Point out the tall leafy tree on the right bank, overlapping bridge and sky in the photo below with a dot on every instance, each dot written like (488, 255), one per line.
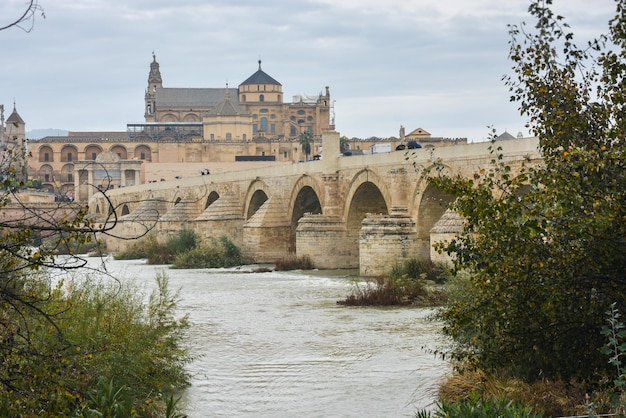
(543, 252)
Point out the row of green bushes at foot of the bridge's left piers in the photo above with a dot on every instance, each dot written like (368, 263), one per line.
(183, 251)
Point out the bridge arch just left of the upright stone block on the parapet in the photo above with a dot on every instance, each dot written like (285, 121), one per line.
(305, 198)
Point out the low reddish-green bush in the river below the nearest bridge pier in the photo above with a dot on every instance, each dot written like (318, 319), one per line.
(410, 283)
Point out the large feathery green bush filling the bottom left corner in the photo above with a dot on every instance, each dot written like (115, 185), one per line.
(100, 349)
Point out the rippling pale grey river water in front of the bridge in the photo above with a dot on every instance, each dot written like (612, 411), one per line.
(277, 345)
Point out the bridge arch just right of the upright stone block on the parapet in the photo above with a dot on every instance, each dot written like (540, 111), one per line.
(367, 194)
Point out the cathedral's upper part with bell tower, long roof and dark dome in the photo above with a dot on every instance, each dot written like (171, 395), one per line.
(255, 109)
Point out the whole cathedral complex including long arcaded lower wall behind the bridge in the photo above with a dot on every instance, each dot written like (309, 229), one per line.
(219, 126)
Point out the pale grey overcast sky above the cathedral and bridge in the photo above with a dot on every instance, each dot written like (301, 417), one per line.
(434, 64)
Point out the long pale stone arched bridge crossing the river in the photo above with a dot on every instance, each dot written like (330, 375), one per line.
(362, 211)
